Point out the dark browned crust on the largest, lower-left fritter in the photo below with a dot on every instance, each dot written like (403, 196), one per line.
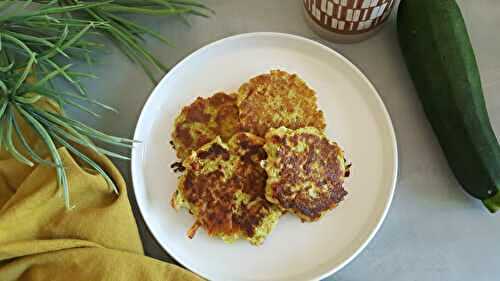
(214, 197)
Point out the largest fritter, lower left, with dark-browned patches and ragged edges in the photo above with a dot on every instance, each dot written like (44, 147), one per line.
(224, 188)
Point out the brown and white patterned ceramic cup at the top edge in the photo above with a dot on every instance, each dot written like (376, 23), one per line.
(347, 20)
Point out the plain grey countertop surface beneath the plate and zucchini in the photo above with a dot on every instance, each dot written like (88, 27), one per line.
(433, 231)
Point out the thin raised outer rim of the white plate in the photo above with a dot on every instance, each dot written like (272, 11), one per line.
(134, 165)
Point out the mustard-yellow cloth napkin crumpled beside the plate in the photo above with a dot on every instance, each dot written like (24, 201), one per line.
(96, 240)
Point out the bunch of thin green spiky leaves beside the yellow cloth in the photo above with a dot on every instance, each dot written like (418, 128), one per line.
(38, 45)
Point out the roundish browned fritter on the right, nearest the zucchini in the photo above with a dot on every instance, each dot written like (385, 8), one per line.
(305, 171)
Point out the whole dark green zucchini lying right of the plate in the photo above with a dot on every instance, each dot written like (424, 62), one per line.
(441, 62)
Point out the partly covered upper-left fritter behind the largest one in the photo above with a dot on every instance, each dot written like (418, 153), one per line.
(203, 120)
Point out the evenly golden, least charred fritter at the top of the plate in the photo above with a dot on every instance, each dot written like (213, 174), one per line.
(277, 99)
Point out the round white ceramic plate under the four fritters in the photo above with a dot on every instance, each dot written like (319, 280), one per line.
(356, 119)
